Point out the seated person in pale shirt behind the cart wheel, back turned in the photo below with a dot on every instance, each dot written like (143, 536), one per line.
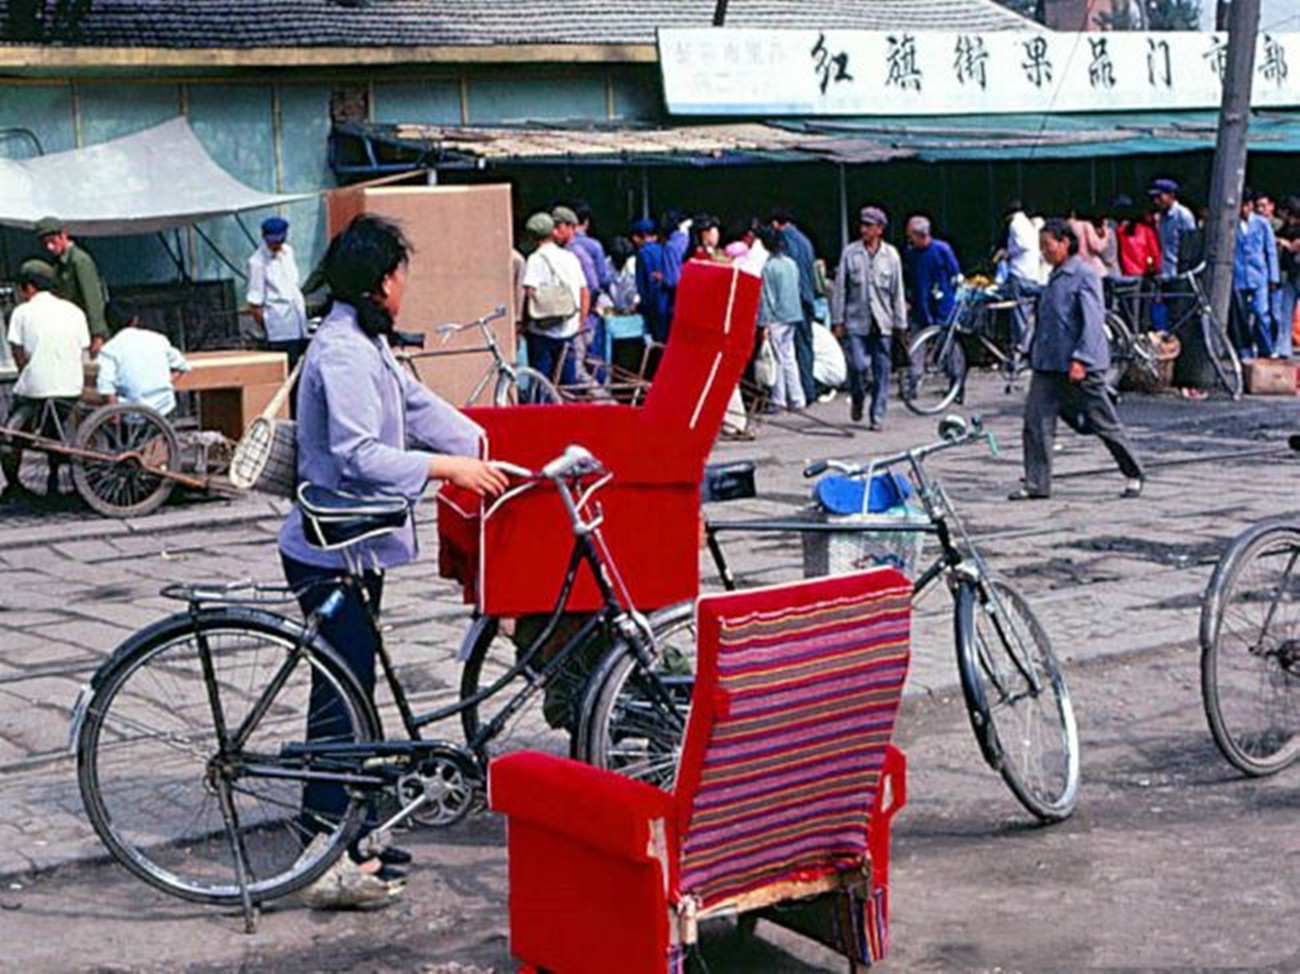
(137, 366)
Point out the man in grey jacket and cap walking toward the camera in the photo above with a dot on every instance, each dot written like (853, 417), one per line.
(868, 309)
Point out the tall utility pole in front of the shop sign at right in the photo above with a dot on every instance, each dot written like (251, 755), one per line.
(1230, 155)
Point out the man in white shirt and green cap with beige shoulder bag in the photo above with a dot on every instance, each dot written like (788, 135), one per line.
(549, 267)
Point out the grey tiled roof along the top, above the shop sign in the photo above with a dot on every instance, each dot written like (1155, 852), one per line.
(255, 24)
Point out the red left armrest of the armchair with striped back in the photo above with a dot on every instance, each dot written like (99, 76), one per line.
(600, 809)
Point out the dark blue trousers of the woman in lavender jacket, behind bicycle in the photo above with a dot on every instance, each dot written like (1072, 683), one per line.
(352, 637)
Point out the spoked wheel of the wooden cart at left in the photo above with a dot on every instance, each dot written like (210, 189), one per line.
(135, 443)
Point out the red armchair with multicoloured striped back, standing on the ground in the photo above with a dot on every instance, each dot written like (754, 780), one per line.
(787, 785)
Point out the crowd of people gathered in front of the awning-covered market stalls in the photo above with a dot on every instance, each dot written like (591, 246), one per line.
(876, 297)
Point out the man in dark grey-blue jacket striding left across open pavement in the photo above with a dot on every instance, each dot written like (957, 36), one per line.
(1069, 357)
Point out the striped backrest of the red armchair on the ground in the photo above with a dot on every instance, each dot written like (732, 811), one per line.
(796, 696)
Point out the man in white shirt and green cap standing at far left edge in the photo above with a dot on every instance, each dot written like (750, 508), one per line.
(49, 339)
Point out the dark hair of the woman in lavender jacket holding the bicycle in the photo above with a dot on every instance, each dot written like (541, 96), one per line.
(357, 263)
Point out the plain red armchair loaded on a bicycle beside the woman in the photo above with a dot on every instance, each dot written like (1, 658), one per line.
(513, 564)
